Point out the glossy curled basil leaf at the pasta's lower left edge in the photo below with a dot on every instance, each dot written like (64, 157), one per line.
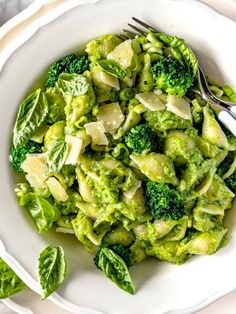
(42, 212)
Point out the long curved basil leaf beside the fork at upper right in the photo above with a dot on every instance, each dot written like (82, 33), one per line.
(179, 45)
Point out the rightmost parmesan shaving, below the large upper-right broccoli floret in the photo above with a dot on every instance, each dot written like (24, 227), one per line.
(179, 106)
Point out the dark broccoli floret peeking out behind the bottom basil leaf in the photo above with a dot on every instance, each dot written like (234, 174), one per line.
(121, 250)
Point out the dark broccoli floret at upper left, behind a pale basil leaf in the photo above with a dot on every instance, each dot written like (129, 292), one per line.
(68, 64)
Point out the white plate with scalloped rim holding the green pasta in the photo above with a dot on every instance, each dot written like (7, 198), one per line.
(161, 287)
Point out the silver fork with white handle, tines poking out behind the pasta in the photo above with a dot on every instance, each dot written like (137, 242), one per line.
(226, 109)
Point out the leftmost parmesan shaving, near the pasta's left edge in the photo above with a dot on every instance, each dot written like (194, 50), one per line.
(35, 167)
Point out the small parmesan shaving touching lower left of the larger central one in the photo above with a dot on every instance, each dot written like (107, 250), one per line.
(97, 132)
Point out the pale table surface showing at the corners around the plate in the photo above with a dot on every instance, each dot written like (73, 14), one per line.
(27, 298)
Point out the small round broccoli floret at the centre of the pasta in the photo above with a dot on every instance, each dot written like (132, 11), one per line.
(141, 139)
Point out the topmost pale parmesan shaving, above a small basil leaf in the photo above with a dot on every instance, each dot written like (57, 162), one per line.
(123, 54)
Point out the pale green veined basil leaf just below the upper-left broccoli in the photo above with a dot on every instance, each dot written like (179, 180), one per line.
(72, 84)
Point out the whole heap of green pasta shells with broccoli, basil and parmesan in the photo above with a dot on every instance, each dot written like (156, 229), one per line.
(131, 161)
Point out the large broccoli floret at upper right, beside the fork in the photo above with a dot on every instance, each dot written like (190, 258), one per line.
(171, 76)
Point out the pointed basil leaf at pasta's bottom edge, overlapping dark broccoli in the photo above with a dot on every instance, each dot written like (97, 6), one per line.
(115, 269)
